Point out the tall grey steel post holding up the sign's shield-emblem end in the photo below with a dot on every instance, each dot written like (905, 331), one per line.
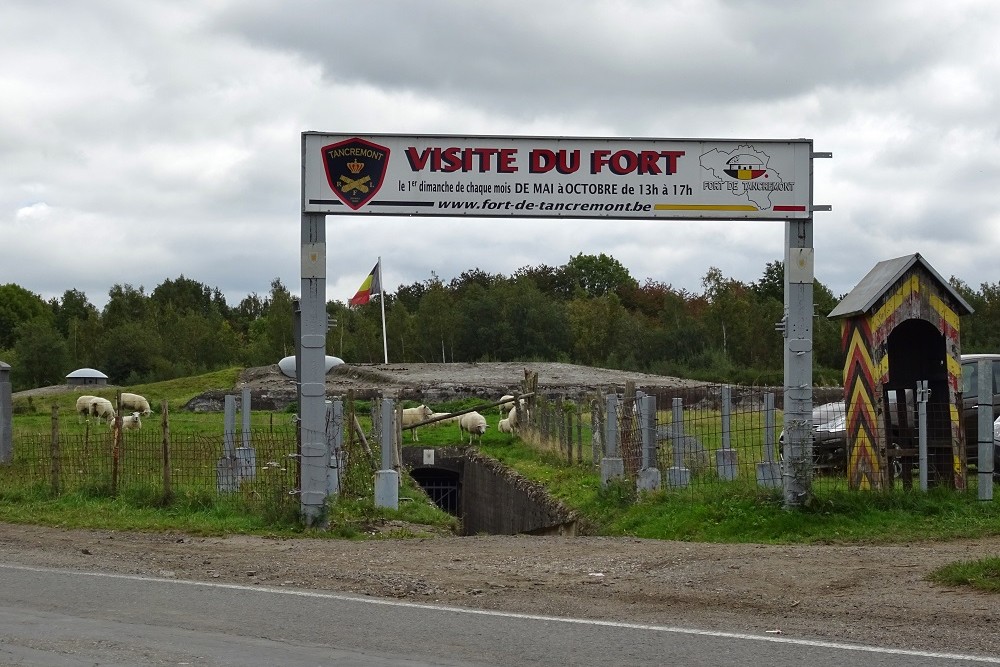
(312, 373)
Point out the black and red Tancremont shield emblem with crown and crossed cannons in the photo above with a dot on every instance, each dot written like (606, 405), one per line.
(355, 169)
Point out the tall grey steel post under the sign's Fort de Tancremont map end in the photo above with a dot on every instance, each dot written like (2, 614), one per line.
(798, 332)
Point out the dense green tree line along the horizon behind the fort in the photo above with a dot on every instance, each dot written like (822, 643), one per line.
(589, 311)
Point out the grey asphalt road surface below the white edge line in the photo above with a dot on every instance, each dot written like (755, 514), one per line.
(67, 618)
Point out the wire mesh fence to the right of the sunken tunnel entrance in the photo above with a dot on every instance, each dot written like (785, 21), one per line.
(714, 434)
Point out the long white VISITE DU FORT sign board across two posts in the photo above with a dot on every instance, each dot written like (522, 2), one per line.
(569, 177)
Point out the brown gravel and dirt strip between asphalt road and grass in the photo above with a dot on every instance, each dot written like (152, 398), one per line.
(863, 594)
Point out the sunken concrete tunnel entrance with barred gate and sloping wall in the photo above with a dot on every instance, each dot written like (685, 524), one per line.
(488, 497)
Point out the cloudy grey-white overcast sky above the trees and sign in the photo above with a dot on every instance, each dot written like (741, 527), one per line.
(142, 141)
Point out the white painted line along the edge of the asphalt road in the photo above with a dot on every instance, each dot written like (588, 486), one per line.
(504, 614)
